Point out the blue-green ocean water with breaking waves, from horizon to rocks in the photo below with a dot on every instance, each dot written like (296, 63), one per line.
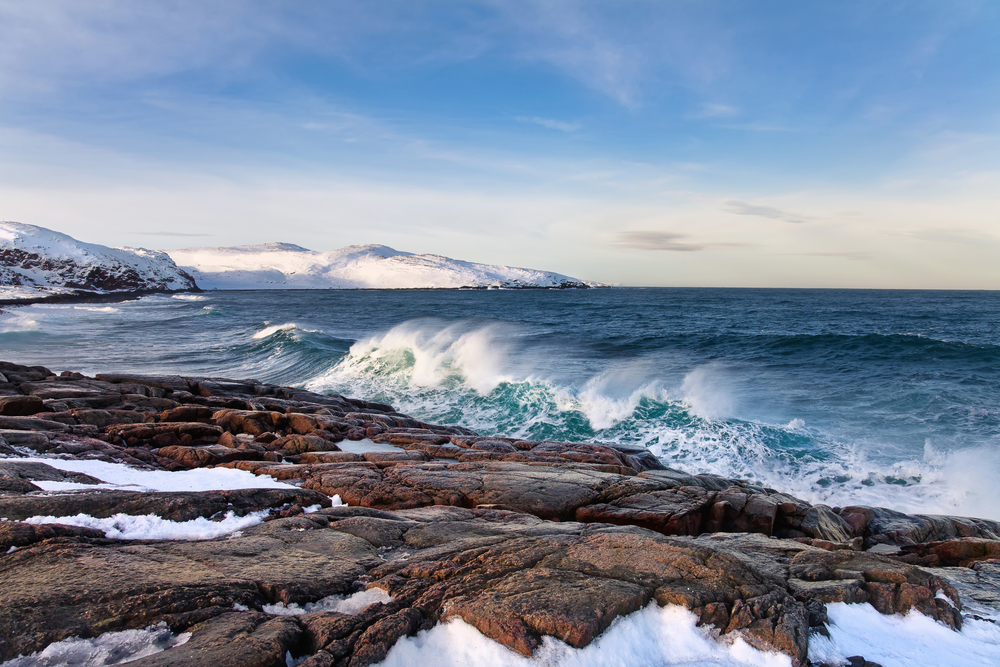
(889, 398)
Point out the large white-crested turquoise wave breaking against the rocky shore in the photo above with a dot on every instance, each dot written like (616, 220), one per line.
(482, 377)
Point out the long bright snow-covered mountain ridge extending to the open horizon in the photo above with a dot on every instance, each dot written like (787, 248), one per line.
(287, 266)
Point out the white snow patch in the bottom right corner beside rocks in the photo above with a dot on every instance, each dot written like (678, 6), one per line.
(904, 641)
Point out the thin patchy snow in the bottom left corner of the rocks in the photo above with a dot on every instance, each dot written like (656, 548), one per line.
(111, 648)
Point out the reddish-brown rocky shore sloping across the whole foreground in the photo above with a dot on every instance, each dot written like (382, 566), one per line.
(520, 539)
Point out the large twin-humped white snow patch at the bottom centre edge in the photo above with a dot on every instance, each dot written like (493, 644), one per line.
(652, 636)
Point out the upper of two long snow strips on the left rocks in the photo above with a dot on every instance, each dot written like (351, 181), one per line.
(121, 476)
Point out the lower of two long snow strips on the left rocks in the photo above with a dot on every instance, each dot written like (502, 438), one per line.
(152, 527)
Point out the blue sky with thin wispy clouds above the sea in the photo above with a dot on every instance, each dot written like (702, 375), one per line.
(665, 143)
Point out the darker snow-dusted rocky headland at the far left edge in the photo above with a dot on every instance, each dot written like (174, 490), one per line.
(36, 262)
